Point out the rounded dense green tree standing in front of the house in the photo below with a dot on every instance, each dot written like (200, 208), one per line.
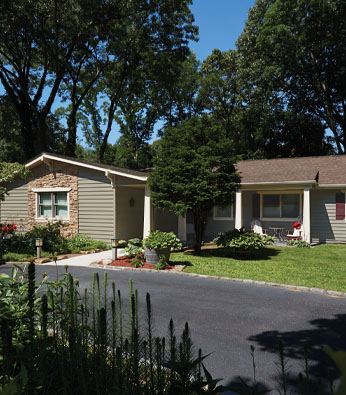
(194, 170)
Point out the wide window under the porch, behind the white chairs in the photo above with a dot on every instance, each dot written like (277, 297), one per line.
(281, 206)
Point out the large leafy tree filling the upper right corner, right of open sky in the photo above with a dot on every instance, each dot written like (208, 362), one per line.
(293, 55)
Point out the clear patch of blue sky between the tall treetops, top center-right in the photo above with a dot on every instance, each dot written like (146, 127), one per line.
(220, 24)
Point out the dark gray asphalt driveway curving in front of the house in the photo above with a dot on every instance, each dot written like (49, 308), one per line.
(226, 318)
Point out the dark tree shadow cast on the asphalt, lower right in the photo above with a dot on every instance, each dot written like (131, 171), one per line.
(327, 331)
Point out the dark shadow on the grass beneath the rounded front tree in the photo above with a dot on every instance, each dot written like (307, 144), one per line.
(261, 254)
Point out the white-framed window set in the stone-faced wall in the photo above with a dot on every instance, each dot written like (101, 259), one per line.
(52, 204)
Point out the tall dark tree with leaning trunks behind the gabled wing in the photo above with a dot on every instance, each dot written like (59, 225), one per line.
(61, 49)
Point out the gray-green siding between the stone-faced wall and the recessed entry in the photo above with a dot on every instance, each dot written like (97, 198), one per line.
(96, 205)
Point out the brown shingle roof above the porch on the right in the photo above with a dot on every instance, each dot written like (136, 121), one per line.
(324, 169)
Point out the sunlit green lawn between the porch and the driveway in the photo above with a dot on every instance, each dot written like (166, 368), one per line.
(323, 266)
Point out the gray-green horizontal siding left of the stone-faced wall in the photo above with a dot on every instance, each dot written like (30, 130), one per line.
(15, 206)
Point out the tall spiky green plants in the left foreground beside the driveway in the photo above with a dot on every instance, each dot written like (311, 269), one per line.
(56, 339)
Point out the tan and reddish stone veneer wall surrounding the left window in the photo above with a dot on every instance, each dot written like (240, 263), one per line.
(63, 175)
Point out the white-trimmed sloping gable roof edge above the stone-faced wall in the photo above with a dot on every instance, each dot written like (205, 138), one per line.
(44, 156)
